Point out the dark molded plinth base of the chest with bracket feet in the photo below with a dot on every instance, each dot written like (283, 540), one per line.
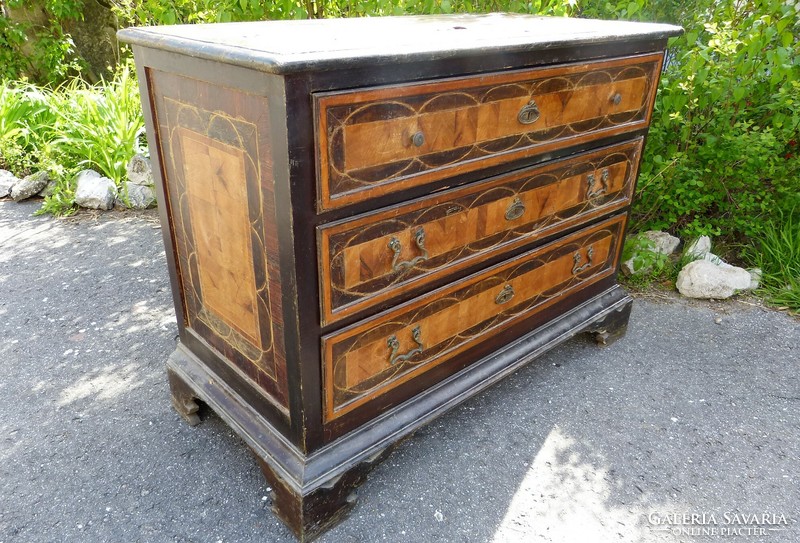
(312, 492)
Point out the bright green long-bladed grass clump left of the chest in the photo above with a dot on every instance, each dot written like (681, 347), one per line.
(73, 127)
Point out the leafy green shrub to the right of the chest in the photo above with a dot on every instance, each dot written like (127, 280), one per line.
(722, 154)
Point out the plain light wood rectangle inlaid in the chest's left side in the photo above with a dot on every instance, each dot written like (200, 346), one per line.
(217, 194)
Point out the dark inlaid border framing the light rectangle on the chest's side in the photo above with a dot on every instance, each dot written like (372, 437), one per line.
(224, 118)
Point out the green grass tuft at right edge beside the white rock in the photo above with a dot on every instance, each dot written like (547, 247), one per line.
(776, 251)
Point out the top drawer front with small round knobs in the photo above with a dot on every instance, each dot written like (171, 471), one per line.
(377, 141)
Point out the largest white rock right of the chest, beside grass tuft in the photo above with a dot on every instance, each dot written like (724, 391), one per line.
(703, 279)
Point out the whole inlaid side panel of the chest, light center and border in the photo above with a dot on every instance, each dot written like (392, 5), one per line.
(218, 179)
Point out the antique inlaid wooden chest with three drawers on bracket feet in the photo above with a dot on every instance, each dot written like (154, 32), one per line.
(368, 221)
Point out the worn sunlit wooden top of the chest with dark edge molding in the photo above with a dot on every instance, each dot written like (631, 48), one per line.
(291, 46)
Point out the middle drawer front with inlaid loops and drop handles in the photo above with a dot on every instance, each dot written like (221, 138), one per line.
(369, 259)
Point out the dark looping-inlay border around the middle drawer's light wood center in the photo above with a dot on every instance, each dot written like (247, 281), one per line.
(334, 238)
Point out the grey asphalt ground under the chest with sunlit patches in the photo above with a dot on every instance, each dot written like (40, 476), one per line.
(696, 411)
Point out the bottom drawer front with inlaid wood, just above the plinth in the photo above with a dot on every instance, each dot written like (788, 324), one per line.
(372, 357)
